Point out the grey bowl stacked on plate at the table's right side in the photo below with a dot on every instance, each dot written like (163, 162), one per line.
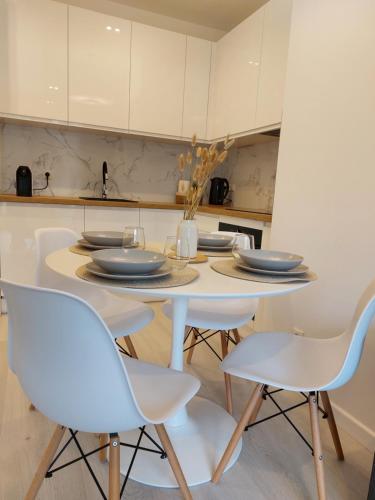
(270, 259)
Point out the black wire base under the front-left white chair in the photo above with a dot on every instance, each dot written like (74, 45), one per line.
(83, 456)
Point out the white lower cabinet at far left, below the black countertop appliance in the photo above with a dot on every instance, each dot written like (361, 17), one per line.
(18, 222)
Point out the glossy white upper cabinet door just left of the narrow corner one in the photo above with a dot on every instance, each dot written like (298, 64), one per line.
(157, 80)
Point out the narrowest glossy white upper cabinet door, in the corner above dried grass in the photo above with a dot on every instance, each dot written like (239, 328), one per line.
(197, 79)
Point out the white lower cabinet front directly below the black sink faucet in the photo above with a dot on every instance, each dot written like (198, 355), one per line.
(110, 218)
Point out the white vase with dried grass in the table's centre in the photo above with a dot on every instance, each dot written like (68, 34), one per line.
(200, 162)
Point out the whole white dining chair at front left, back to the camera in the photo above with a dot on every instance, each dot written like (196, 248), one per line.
(58, 342)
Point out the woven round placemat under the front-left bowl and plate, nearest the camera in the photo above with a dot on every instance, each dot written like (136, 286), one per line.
(179, 278)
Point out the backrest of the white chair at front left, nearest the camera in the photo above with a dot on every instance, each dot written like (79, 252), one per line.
(67, 362)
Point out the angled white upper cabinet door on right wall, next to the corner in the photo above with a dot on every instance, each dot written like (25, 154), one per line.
(236, 70)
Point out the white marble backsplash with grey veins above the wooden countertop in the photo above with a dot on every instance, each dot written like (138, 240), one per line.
(140, 169)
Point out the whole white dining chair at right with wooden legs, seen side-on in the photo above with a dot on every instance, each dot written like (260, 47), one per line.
(300, 364)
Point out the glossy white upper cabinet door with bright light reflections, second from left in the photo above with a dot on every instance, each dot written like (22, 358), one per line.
(99, 69)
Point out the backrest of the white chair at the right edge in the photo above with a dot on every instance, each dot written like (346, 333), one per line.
(352, 340)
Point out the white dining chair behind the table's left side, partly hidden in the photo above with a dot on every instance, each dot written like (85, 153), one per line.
(122, 316)
